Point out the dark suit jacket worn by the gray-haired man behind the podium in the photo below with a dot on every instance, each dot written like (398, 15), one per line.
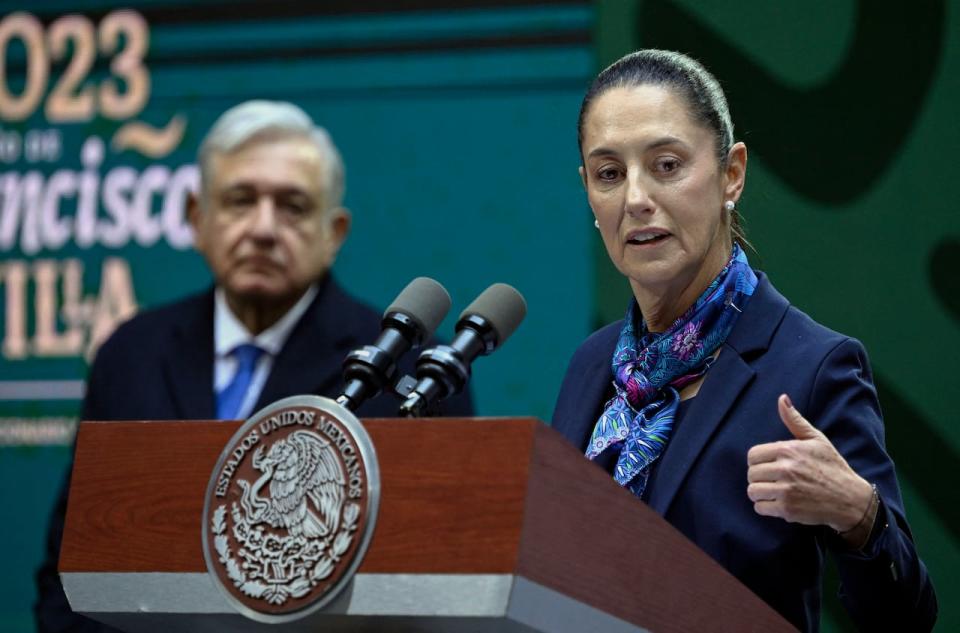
(159, 366)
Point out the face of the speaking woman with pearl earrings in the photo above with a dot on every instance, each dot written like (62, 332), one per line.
(658, 190)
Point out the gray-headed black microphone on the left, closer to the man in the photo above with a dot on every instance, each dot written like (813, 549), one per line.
(409, 321)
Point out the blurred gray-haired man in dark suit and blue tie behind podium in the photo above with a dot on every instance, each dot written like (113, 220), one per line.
(269, 222)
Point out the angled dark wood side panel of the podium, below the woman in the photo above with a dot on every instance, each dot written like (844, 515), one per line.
(586, 537)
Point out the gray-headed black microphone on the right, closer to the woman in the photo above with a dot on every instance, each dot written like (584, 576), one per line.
(483, 326)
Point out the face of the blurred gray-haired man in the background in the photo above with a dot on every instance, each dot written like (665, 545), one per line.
(263, 227)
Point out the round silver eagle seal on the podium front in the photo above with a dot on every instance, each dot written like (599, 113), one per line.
(290, 508)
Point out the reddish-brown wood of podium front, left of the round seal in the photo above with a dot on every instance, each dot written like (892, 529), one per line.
(136, 495)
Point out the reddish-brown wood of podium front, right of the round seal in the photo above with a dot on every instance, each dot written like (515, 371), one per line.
(453, 493)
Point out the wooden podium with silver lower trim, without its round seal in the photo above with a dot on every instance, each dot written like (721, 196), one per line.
(486, 524)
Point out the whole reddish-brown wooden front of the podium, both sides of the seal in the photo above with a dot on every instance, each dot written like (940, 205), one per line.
(451, 499)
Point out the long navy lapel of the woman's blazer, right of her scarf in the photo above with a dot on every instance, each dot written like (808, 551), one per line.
(724, 383)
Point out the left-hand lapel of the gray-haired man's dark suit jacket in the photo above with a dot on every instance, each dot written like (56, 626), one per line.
(188, 365)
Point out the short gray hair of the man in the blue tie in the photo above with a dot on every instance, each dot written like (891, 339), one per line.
(264, 120)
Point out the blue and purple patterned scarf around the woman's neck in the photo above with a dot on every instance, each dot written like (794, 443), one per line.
(649, 371)
